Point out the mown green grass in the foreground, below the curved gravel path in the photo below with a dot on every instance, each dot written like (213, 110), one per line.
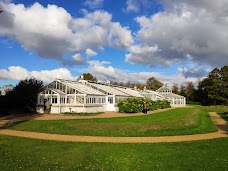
(22, 154)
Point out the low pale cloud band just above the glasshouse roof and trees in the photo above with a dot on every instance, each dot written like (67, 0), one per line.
(103, 71)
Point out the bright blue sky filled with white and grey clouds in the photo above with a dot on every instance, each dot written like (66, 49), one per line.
(133, 40)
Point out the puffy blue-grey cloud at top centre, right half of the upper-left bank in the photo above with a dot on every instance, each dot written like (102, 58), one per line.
(96, 30)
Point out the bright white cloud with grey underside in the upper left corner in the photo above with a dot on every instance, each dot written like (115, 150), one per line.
(43, 30)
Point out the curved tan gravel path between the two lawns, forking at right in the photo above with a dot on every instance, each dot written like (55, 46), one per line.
(219, 122)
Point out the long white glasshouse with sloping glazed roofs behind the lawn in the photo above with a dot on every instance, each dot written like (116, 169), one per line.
(85, 96)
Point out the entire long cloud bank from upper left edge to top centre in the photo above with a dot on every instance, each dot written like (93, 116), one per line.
(52, 32)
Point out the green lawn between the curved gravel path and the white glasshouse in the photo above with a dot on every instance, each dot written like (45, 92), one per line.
(179, 121)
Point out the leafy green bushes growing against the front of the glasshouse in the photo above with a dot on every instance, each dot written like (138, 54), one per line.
(135, 105)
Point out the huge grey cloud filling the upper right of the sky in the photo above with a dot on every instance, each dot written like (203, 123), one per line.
(197, 28)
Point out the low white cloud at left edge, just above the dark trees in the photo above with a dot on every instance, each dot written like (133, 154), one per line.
(19, 73)
